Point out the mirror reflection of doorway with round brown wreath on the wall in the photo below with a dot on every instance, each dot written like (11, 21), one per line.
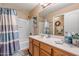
(59, 25)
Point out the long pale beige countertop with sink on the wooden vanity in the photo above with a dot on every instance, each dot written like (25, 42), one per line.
(52, 41)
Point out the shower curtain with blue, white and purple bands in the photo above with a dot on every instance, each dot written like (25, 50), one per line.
(9, 42)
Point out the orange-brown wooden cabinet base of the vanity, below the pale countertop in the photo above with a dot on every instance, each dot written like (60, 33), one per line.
(37, 48)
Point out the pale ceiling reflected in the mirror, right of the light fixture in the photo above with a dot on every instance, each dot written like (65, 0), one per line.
(53, 7)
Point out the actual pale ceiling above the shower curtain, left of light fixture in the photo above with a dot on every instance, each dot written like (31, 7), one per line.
(21, 6)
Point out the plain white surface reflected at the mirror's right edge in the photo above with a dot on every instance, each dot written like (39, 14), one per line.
(71, 21)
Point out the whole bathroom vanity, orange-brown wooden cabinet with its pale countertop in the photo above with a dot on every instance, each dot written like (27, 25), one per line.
(39, 46)
